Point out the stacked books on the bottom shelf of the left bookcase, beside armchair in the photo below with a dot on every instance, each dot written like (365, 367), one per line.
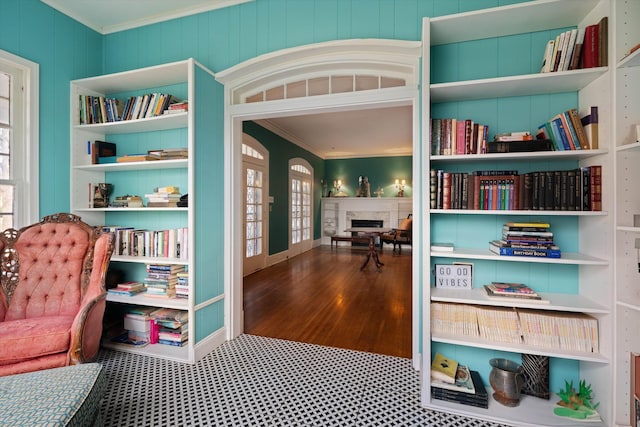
(149, 325)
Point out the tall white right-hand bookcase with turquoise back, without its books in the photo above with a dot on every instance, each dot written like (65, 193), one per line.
(499, 97)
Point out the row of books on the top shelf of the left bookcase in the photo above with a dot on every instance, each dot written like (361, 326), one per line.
(101, 109)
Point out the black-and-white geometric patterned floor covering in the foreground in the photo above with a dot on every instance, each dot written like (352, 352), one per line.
(259, 381)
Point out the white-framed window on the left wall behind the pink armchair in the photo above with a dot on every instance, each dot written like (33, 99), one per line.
(18, 141)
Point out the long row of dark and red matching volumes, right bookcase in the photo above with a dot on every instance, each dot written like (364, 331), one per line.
(571, 190)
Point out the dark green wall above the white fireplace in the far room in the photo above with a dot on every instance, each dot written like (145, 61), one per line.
(381, 172)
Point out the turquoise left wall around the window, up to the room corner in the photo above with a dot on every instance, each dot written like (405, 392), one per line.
(65, 50)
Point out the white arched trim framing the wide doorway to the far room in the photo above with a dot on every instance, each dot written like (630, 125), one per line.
(236, 113)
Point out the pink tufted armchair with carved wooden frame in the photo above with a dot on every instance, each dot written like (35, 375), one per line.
(52, 296)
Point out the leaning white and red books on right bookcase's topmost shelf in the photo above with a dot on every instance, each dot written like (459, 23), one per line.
(577, 48)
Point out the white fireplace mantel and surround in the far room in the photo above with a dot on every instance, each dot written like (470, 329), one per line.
(337, 212)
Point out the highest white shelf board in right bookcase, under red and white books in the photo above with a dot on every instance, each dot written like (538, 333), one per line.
(509, 86)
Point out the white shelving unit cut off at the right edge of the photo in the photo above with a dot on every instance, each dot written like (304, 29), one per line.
(626, 114)
